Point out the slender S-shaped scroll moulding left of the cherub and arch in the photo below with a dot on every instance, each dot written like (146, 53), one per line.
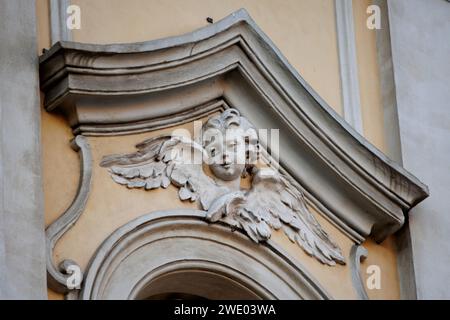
(57, 276)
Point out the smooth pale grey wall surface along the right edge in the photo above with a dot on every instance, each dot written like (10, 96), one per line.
(420, 50)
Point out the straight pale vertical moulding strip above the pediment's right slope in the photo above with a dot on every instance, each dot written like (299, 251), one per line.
(348, 64)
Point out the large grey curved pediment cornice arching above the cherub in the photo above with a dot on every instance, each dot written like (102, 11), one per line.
(129, 88)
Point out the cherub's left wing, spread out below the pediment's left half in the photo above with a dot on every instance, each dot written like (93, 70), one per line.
(162, 161)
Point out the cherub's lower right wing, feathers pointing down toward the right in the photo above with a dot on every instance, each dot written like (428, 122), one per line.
(274, 203)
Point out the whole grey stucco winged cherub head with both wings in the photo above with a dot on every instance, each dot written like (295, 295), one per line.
(229, 149)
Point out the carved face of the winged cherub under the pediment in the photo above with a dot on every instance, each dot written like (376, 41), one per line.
(227, 153)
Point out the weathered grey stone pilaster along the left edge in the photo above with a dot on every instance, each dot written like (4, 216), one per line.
(22, 241)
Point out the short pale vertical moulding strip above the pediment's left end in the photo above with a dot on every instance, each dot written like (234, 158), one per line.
(58, 15)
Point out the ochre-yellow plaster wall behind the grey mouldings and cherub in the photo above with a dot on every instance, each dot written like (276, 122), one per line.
(311, 49)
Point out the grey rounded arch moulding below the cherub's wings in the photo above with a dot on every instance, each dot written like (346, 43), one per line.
(164, 242)
